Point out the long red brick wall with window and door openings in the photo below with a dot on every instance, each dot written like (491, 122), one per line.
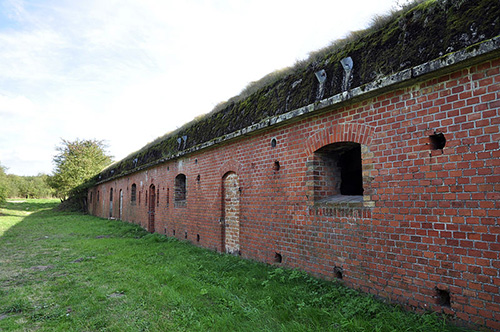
(428, 223)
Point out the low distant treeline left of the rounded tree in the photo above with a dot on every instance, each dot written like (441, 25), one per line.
(15, 186)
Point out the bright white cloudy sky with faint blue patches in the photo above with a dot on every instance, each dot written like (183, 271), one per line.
(129, 71)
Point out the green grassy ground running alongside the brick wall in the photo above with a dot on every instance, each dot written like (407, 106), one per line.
(70, 272)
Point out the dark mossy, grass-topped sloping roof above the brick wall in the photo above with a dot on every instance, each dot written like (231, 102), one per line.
(420, 32)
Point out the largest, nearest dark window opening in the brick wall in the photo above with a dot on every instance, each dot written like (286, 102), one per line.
(338, 171)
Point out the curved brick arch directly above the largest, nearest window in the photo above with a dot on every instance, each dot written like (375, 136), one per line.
(352, 132)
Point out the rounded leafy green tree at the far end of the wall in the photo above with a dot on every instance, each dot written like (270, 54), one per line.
(77, 162)
